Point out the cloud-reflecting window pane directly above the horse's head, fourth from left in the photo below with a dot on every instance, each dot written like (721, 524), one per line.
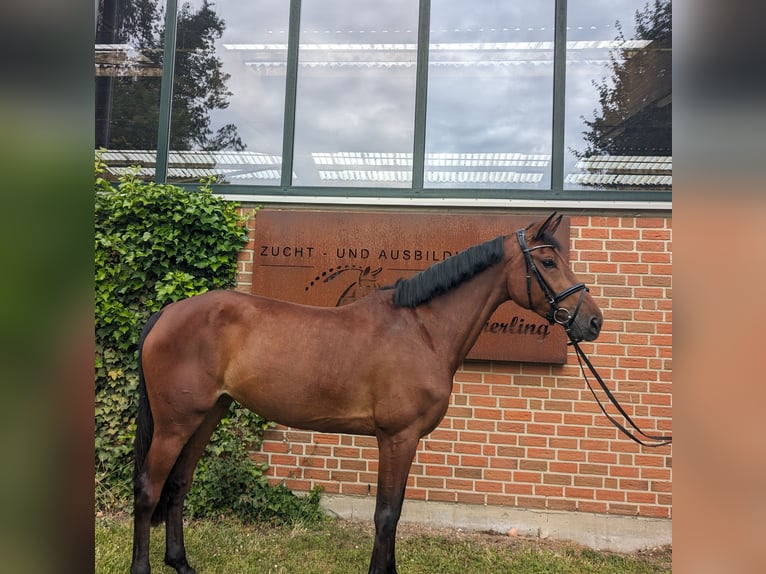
(490, 94)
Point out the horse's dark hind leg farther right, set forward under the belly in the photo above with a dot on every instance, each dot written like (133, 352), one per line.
(179, 482)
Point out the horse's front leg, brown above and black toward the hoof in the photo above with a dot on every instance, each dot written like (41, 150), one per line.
(395, 457)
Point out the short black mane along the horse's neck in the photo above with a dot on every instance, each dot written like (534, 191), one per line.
(451, 272)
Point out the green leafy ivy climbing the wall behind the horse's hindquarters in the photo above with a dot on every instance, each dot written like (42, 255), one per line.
(155, 244)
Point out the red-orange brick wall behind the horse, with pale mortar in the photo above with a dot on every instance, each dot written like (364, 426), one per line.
(530, 435)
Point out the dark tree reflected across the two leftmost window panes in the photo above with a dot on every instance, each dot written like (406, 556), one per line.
(127, 107)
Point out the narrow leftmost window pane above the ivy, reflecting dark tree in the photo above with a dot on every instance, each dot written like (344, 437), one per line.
(128, 62)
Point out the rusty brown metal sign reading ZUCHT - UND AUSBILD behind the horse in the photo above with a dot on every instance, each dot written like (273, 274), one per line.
(331, 258)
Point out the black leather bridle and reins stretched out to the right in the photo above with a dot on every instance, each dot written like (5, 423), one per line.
(561, 315)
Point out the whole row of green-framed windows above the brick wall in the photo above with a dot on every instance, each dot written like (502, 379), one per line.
(567, 99)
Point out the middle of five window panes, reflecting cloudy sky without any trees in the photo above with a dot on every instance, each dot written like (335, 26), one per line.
(355, 110)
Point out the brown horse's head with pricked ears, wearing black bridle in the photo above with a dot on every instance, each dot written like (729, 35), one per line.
(539, 279)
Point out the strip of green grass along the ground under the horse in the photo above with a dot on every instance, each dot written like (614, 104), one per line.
(339, 547)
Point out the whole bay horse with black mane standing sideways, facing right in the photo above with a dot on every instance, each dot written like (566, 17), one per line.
(381, 366)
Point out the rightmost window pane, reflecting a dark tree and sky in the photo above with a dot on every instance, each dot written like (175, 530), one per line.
(619, 96)
